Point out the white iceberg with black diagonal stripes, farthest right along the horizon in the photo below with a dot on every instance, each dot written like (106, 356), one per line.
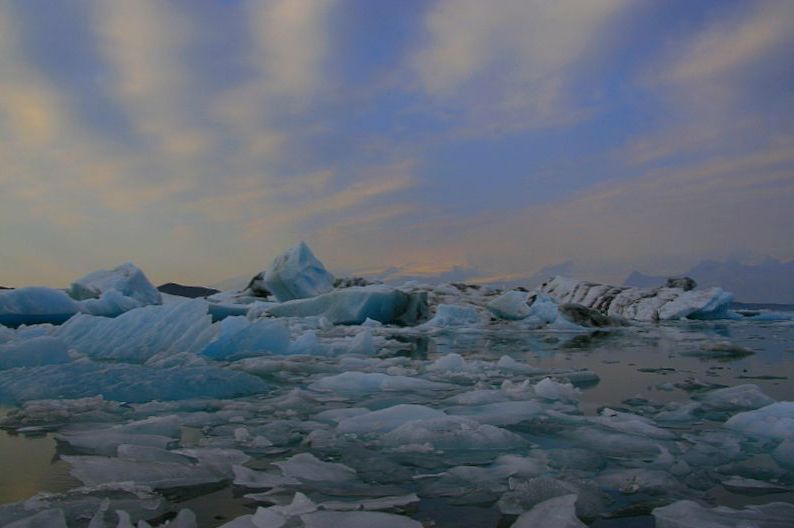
(641, 304)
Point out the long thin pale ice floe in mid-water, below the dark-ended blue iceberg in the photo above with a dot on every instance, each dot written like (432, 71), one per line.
(367, 382)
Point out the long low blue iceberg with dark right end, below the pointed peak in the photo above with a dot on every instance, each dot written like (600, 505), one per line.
(357, 304)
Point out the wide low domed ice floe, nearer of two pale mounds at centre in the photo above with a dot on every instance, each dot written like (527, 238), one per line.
(453, 433)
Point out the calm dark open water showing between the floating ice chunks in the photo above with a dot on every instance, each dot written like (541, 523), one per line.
(639, 368)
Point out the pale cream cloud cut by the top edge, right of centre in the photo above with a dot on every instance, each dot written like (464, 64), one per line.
(510, 67)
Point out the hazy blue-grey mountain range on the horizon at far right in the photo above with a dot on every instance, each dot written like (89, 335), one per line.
(770, 281)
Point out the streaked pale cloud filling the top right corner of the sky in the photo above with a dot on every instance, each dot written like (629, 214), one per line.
(723, 86)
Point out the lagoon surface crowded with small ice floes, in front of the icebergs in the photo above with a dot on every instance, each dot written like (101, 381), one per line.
(635, 430)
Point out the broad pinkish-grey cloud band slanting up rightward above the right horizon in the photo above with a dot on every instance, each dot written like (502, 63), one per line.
(661, 221)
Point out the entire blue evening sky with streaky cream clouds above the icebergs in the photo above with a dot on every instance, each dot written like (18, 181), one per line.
(489, 140)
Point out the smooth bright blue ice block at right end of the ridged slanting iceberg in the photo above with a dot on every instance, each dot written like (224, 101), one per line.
(240, 338)
